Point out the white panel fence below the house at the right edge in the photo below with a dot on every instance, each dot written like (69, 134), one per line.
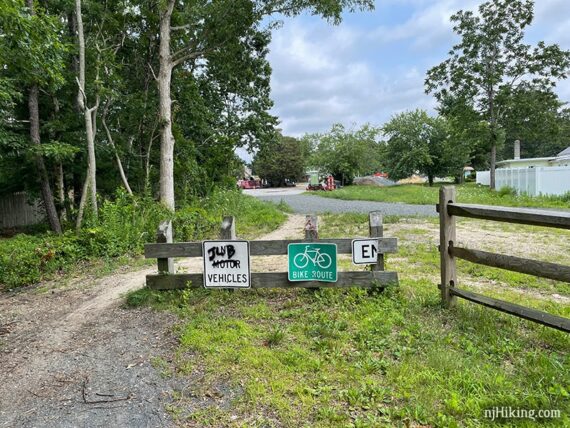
(545, 180)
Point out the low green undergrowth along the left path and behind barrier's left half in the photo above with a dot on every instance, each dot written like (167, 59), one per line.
(124, 225)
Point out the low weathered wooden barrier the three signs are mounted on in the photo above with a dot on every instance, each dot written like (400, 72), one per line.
(165, 250)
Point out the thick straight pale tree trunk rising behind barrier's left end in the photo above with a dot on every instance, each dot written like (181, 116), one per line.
(165, 111)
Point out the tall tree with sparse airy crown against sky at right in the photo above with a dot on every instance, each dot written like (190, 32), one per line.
(492, 59)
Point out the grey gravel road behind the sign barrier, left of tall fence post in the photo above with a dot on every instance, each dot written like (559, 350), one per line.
(309, 204)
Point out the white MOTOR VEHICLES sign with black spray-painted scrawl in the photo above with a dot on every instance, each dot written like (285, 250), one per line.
(226, 264)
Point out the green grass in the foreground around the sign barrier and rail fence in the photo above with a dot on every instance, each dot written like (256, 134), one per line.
(347, 358)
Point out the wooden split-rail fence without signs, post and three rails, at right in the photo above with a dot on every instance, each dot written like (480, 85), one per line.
(449, 209)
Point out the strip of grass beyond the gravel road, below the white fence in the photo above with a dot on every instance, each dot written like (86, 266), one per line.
(467, 193)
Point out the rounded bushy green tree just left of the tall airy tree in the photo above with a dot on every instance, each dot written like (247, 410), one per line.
(419, 143)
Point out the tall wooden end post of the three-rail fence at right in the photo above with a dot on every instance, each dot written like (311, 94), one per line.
(447, 236)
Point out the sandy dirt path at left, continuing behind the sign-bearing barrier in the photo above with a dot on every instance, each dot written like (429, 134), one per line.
(74, 356)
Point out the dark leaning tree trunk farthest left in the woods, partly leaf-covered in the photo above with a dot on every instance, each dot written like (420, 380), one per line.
(34, 110)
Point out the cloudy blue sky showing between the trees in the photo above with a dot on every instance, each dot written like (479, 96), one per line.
(373, 64)
